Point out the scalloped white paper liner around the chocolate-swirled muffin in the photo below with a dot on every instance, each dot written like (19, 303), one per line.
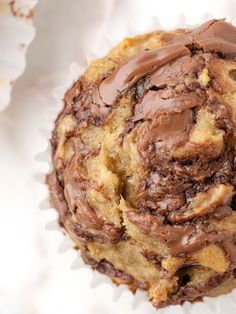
(138, 302)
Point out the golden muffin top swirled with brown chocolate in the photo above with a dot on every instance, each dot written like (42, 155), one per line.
(144, 163)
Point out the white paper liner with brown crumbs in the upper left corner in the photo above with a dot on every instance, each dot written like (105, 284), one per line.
(16, 33)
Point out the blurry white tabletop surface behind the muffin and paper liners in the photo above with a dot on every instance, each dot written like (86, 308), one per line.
(34, 277)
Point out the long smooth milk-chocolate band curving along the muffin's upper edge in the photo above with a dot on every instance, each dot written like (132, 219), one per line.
(214, 35)
